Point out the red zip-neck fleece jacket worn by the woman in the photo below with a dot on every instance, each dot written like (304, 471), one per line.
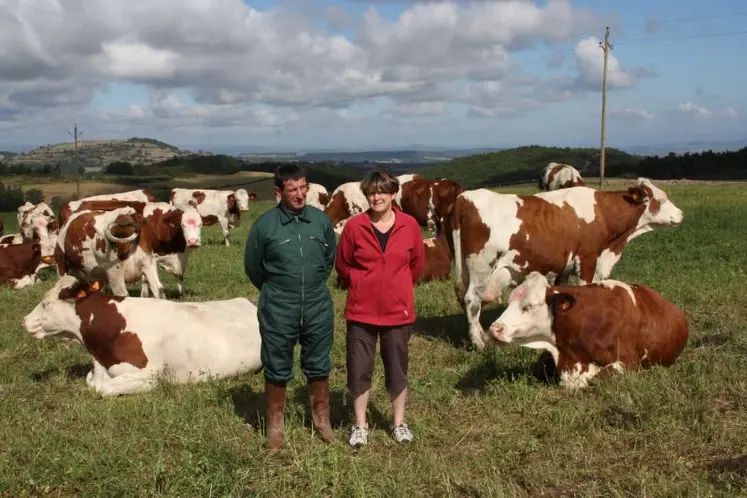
(380, 284)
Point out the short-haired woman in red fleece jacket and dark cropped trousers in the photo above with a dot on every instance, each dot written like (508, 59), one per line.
(379, 257)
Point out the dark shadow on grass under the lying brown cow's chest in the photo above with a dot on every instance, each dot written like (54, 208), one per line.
(475, 381)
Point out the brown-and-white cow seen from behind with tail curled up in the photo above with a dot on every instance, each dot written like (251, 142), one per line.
(108, 246)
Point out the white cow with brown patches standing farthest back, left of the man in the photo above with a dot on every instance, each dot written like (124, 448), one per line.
(215, 206)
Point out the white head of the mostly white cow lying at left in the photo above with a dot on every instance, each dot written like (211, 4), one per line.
(55, 314)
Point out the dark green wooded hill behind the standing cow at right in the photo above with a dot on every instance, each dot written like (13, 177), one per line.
(525, 164)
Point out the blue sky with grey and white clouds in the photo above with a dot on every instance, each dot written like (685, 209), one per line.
(334, 74)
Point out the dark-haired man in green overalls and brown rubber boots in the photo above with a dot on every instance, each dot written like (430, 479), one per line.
(289, 254)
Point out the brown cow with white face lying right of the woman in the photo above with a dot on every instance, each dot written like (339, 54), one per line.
(601, 327)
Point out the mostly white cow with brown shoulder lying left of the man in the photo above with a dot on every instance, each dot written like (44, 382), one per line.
(135, 340)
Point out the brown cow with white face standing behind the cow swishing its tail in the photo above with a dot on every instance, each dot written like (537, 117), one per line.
(171, 233)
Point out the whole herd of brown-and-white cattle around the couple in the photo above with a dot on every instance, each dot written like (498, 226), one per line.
(532, 243)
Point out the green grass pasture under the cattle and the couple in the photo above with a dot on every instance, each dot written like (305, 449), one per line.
(484, 425)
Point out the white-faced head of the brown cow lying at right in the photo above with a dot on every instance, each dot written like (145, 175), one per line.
(527, 320)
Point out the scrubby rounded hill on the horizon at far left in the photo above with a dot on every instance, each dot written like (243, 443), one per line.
(94, 154)
